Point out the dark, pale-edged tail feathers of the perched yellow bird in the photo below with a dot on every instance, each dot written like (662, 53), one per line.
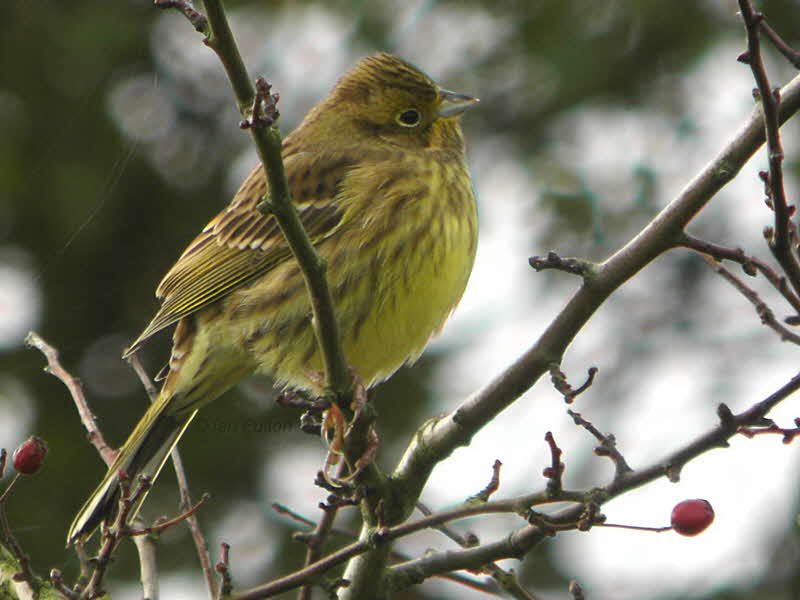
(144, 453)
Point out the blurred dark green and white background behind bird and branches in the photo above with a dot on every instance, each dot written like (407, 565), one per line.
(119, 141)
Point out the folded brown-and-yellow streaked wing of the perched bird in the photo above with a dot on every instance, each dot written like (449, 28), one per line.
(241, 244)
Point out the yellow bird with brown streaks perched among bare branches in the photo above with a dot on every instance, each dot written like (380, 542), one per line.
(378, 175)
